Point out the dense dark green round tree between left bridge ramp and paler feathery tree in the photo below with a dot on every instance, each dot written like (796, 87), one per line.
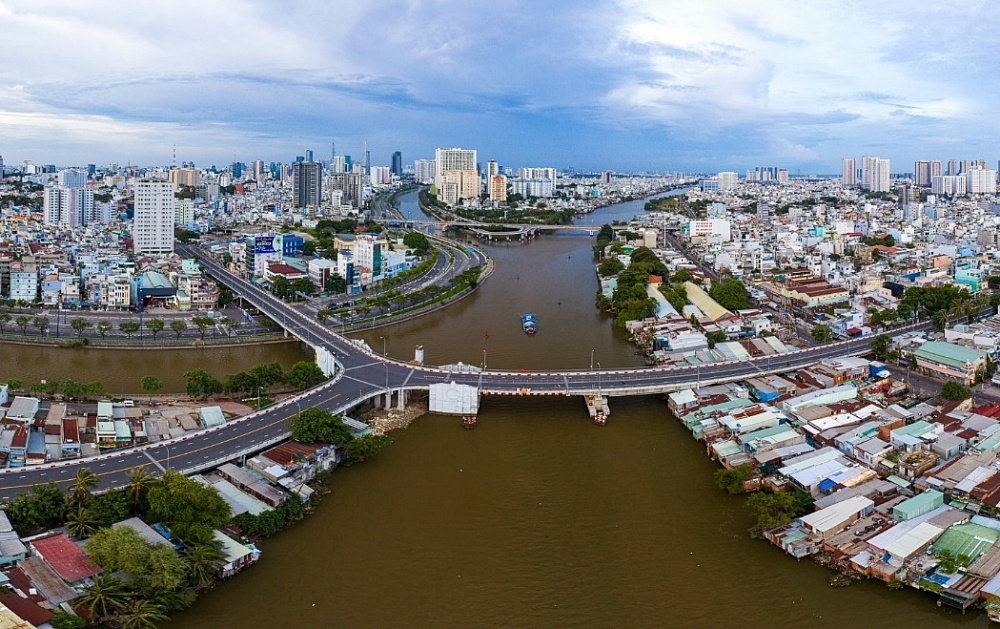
(190, 509)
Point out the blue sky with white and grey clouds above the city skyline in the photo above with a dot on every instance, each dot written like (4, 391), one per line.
(625, 85)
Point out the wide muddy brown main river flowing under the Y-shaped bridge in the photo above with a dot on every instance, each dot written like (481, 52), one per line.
(537, 517)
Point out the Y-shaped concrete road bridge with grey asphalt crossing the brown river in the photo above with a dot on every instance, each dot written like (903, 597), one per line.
(358, 374)
